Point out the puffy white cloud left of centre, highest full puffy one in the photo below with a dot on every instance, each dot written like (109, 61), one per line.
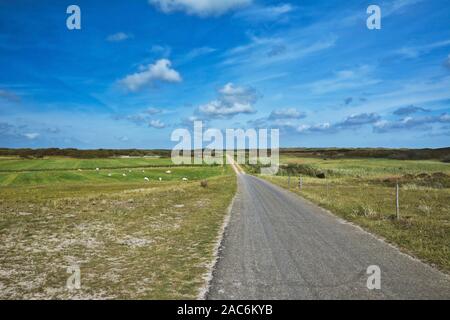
(160, 71)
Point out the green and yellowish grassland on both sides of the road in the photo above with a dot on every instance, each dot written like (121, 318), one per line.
(137, 238)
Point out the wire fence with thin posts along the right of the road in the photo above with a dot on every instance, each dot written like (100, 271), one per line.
(368, 198)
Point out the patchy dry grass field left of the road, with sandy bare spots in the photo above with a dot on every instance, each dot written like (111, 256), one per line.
(131, 239)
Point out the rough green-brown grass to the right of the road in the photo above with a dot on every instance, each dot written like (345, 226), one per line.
(367, 198)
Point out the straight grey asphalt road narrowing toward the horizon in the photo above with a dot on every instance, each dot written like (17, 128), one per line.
(279, 246)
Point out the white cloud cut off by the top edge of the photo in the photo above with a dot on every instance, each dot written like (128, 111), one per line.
(202, 8)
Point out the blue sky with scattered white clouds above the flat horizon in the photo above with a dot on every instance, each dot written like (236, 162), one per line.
(139, 69)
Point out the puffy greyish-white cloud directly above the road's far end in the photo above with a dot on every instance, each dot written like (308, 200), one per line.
(232, 100)
